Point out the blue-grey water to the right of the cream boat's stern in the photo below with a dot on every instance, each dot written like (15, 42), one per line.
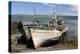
(73, 27)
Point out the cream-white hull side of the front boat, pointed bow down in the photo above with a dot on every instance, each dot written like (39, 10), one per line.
(40, 36)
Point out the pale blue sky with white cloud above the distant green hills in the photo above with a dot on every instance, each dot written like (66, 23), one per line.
(43, 8)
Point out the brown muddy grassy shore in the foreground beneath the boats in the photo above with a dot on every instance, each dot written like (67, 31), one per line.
(50, 45)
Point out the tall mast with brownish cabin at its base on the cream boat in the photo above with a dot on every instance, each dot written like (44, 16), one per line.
(53, 19)
